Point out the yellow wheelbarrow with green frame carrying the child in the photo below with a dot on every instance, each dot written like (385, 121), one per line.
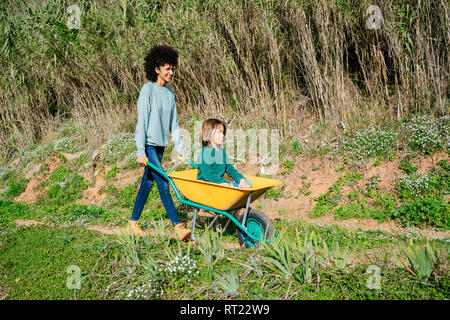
(253, 226)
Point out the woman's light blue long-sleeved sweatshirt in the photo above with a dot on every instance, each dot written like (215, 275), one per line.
(157, 116)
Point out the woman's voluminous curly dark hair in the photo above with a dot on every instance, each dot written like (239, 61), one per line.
(157, 57)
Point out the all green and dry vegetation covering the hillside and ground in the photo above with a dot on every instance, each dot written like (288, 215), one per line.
(333, 92)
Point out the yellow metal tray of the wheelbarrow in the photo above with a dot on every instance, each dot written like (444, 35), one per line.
(217, 196)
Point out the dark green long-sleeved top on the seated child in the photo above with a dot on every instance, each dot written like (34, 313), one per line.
(212, 165)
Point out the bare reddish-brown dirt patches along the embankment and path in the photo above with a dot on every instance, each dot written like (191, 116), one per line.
(313, 174)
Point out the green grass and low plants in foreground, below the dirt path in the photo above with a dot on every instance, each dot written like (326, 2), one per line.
(35, 260)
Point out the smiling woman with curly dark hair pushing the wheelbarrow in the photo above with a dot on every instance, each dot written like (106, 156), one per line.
(157, 117)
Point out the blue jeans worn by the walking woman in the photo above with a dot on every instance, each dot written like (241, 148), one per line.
(154, 155)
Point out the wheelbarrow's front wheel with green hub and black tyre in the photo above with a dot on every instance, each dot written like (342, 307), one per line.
(258, 225)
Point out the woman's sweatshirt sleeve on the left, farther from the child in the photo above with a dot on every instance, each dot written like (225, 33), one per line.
(144, 110)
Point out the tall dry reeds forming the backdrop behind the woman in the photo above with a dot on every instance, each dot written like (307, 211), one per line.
(281, 64)
